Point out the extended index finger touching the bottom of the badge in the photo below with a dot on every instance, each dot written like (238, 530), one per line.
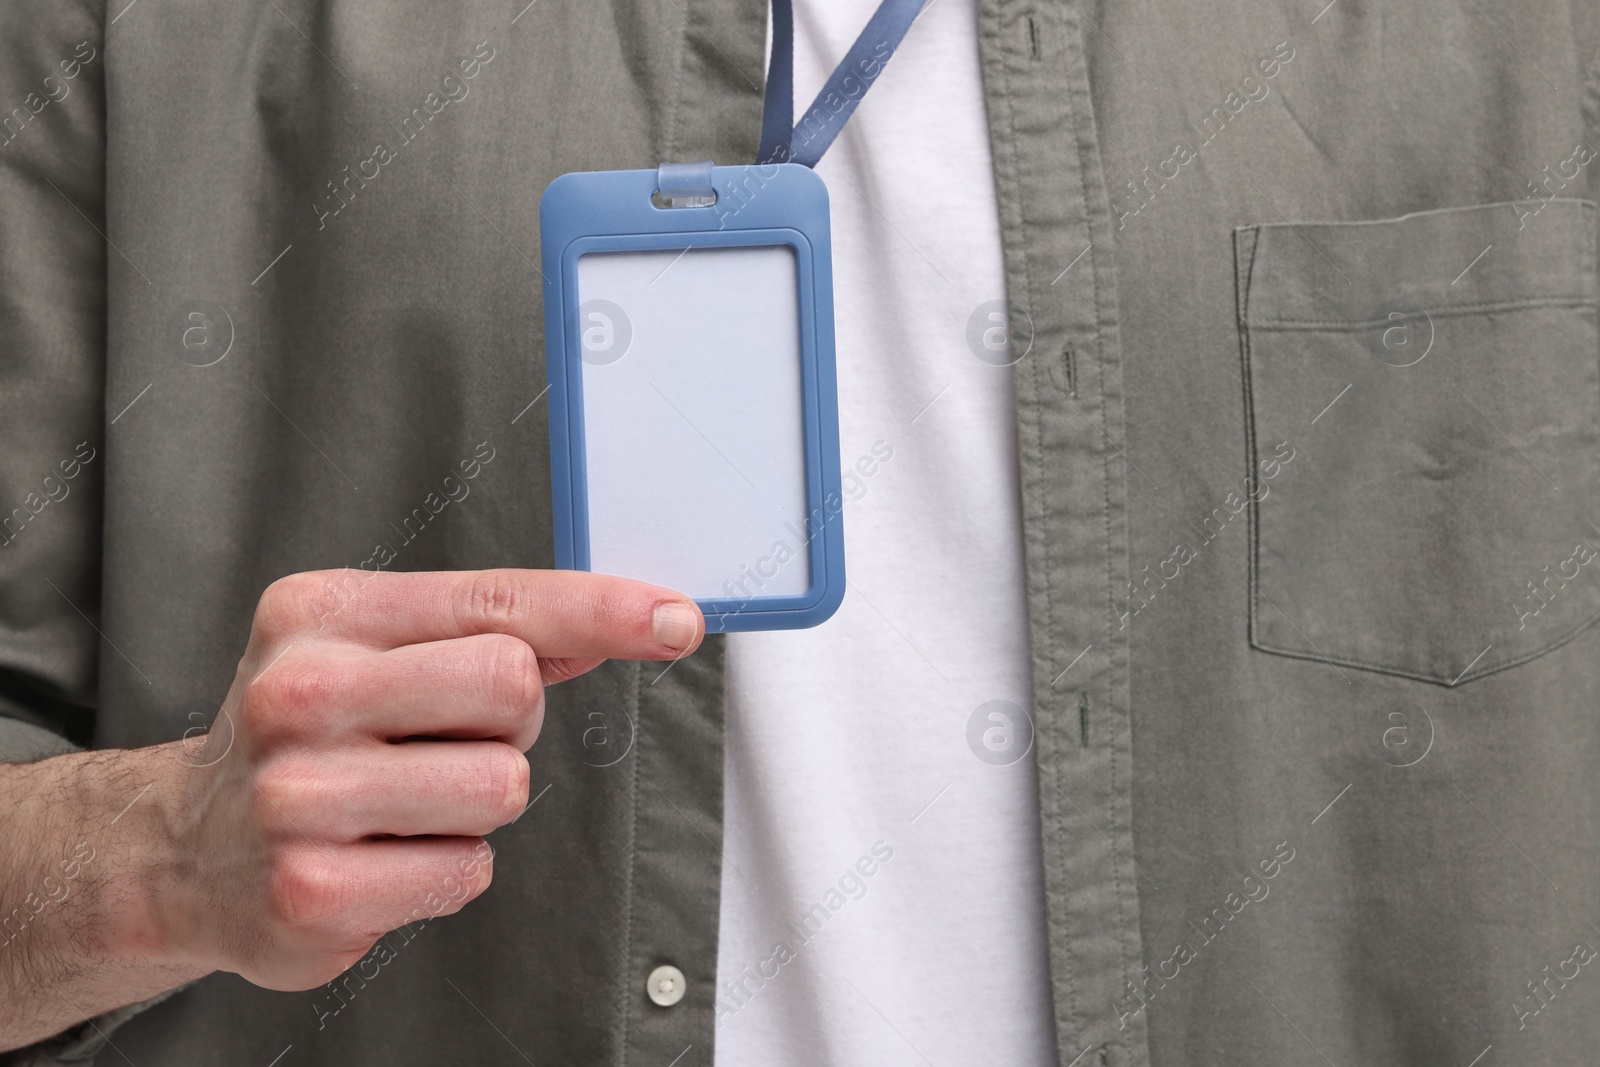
(558, 613)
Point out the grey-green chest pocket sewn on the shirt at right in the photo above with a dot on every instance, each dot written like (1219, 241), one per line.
(1434, 382)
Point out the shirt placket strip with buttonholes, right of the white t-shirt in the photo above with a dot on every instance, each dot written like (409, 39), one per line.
(1070, 406)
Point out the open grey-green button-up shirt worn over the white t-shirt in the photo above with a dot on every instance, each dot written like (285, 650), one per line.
(1308, 434)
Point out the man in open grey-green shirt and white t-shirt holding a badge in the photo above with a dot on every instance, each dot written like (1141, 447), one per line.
(1282, 455)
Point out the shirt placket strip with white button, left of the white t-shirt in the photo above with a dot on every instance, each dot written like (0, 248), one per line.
(666, 986)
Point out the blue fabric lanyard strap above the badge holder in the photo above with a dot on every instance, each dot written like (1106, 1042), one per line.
(841, 95)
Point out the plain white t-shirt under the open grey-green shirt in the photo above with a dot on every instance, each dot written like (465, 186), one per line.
(882, 892)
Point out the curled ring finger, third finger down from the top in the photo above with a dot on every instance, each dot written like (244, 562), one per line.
(414, 789)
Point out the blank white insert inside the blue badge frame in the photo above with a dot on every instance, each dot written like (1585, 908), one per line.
(694, 418)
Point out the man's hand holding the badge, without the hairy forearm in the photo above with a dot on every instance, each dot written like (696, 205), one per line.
(382, 722)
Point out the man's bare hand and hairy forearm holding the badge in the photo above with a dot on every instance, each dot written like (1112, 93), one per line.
(374, 735)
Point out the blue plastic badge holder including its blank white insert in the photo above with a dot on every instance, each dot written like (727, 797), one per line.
(689, 319)
